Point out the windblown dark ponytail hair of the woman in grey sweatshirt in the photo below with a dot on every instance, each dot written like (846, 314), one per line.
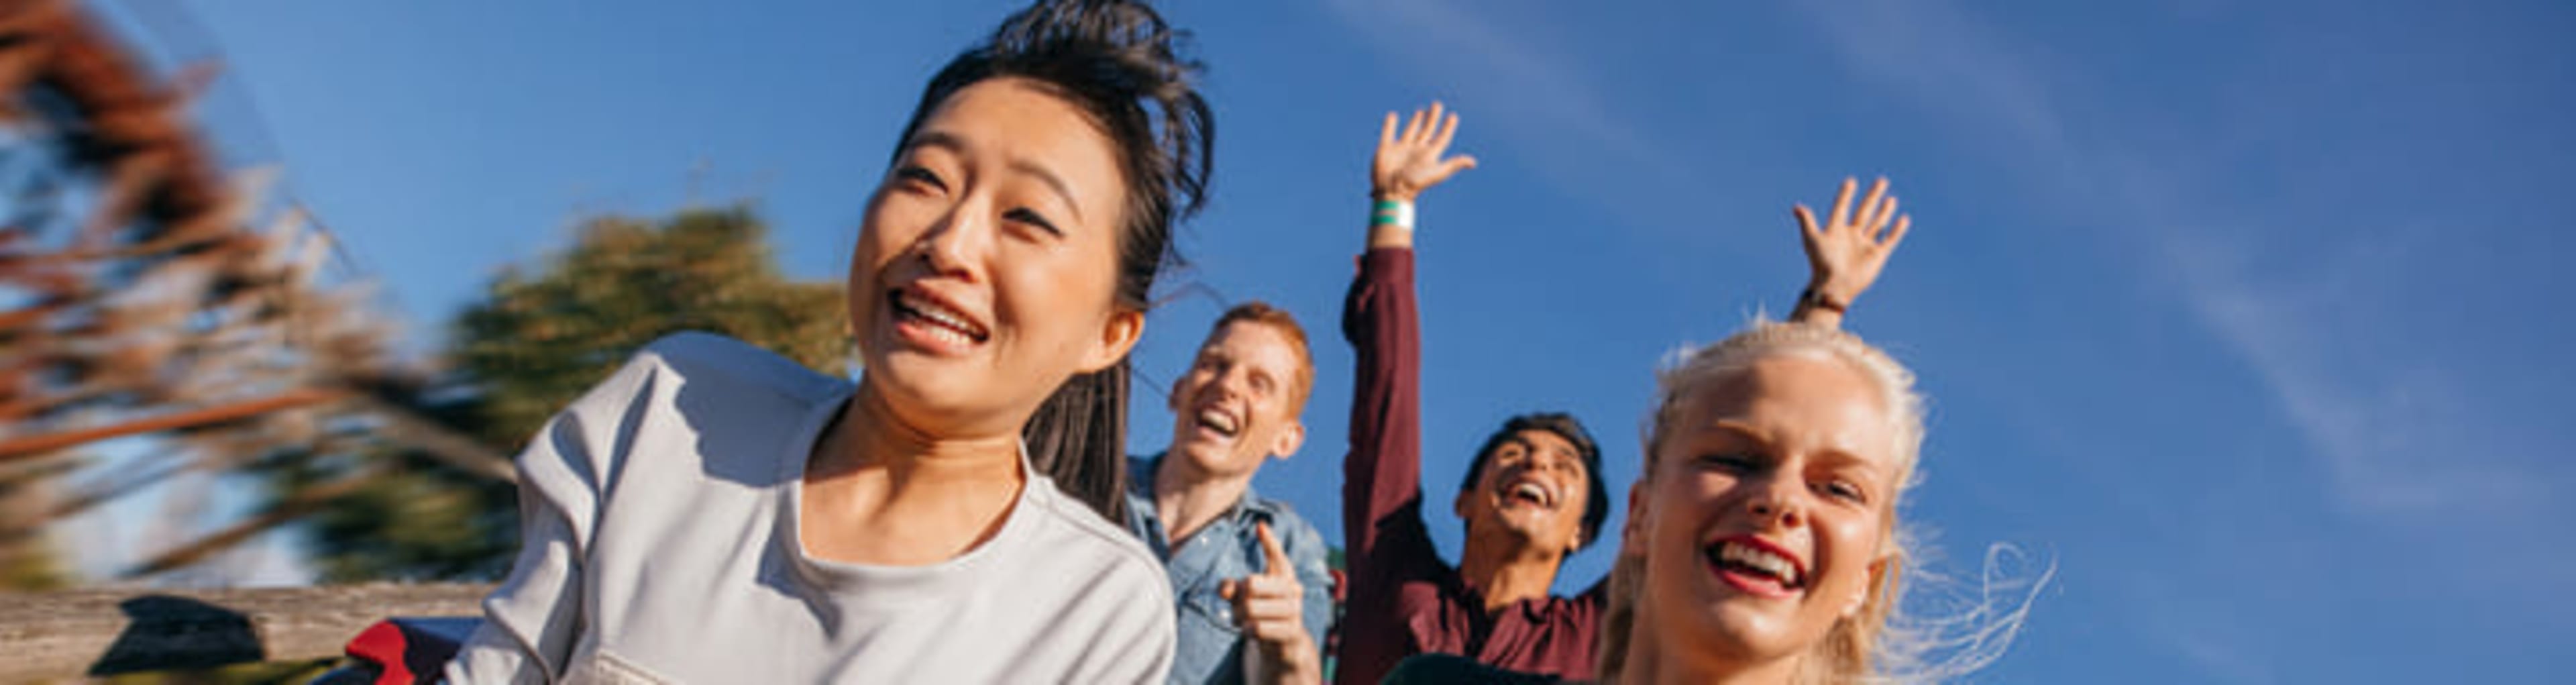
(1124, 66)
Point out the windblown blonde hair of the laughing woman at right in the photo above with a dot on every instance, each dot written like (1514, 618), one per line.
(1879, 643)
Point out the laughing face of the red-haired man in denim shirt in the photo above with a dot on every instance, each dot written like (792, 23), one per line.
(1238, 406)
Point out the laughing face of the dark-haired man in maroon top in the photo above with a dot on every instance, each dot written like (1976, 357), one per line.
(1531, 493)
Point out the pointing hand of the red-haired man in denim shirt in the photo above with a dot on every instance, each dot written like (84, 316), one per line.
(1271, 609)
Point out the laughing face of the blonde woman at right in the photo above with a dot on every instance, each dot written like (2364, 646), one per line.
(1766, 516)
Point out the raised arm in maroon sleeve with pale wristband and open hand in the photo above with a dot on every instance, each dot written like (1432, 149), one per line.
(1382, 475)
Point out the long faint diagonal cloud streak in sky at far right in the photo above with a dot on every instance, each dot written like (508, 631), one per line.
(2397, 439)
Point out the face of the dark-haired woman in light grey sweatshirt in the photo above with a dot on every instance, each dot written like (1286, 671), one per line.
(985, 269)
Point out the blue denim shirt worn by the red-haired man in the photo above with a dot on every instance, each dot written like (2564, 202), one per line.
(1212, 645)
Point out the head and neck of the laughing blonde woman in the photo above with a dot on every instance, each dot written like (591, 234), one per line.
(1763, 532)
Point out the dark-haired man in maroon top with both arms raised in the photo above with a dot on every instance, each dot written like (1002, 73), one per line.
(1531, 496)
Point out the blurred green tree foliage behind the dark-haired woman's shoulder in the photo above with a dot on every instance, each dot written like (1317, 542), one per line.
(537, 341)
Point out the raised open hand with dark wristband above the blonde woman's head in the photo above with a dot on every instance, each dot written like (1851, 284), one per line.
(1848, 251)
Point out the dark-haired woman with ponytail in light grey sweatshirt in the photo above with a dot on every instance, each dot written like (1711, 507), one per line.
(715, 514)
